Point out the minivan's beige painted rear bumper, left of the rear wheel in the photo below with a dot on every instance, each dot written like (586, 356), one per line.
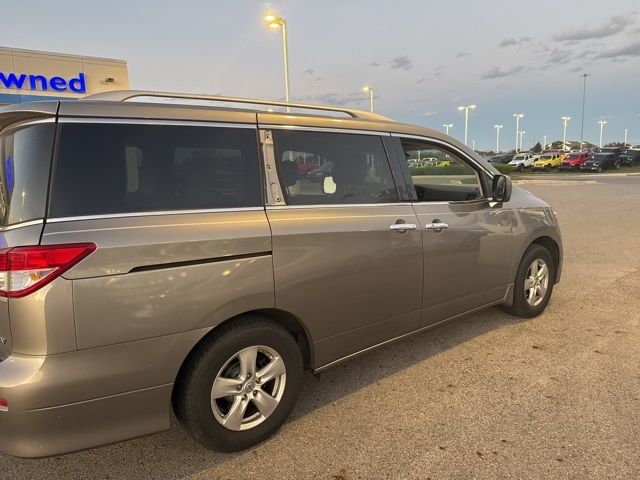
(71, 401)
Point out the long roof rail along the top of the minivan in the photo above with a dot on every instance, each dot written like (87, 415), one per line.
(124, 95)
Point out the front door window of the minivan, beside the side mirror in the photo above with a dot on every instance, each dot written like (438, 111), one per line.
(439, 175)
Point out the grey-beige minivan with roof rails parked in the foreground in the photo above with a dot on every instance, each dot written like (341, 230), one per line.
(161, 256)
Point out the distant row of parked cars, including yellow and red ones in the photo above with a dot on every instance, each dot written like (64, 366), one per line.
(595, 160)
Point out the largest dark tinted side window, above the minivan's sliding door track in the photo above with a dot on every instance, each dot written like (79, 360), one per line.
(120, 168)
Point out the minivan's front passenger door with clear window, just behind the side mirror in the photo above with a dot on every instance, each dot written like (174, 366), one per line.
(466, 238)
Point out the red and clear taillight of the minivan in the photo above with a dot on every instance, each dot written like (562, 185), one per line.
(24, 270)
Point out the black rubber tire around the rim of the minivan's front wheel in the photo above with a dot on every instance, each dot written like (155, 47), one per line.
(520, 306)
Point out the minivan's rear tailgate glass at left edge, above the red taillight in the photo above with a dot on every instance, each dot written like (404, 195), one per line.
(25, 155)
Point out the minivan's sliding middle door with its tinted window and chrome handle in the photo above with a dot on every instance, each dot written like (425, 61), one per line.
(347, 252)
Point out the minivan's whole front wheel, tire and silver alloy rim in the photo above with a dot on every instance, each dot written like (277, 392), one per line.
(534, 282)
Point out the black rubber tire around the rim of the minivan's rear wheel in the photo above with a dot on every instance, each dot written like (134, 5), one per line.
(192, 396)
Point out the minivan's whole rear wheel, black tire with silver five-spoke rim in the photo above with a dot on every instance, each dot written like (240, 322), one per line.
(238, 387)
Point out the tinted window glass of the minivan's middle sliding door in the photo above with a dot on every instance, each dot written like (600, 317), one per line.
(333, 168)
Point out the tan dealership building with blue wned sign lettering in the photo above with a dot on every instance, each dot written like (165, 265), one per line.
(29, 75)
